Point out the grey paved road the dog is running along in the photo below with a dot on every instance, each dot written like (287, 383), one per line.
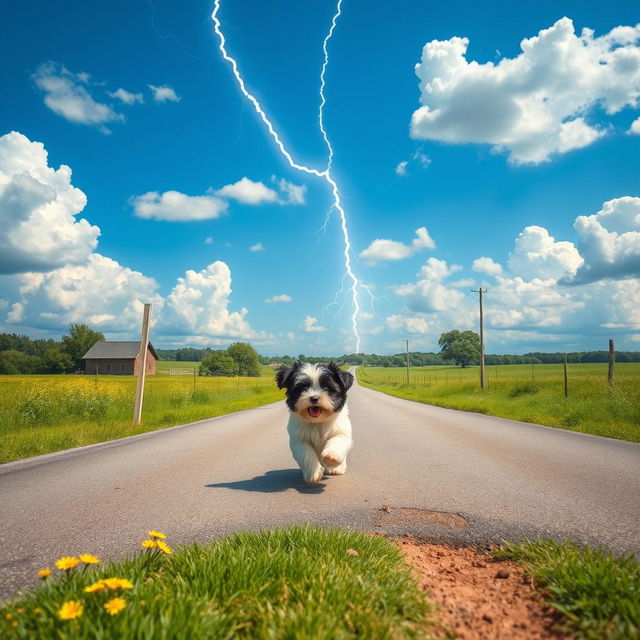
(440, 473)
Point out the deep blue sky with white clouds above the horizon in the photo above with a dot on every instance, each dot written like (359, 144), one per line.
(520, 165)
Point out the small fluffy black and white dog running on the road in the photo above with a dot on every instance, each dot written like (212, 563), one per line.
(319, 426)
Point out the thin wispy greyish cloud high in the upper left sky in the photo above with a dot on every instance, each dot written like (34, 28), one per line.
(67, 95)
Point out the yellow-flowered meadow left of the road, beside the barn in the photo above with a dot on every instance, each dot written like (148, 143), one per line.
(44, 413)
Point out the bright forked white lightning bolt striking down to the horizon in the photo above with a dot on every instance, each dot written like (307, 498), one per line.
(325, 174)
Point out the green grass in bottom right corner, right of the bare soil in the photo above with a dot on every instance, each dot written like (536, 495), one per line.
(597, 592)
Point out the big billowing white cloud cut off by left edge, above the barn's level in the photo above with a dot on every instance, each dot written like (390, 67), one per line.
(38, 205)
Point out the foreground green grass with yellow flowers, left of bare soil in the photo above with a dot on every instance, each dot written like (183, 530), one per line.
(297, 583)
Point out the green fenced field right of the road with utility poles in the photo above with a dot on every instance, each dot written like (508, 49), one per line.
(530, 395)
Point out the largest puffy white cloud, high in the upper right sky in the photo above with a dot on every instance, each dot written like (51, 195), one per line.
(534, 105)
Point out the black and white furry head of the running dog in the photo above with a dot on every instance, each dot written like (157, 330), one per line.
(315, 392)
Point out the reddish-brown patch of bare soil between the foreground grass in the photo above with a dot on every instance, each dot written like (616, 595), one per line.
(480, 599)
